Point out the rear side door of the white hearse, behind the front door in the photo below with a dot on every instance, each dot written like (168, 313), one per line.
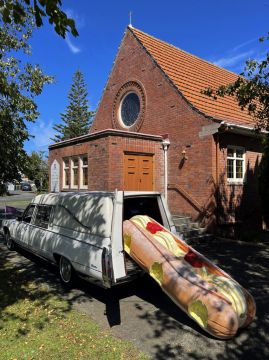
(41, 237)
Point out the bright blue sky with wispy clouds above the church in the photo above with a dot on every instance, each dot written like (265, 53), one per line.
(224, 32)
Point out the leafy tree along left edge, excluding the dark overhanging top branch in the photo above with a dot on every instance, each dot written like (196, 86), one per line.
(19, 84)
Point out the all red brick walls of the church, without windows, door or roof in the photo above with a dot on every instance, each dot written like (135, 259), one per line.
(197, 184)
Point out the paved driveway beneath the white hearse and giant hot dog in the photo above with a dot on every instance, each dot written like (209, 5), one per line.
(141, 313)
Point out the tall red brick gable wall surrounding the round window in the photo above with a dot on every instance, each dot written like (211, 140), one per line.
(165, 112)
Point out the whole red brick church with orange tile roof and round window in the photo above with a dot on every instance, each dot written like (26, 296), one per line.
(155, 130)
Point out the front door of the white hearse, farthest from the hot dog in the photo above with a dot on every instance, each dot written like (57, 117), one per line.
(21, 234)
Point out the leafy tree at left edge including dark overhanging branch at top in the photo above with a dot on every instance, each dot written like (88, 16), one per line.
(20, 82)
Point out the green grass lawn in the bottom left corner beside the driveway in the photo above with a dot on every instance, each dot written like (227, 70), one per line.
(36, 323)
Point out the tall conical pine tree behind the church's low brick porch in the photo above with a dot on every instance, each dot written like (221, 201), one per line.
(77, 117)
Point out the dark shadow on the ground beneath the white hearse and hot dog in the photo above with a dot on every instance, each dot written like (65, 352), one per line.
(15, 283)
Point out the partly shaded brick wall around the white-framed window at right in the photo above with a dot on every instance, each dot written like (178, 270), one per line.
(240, 203)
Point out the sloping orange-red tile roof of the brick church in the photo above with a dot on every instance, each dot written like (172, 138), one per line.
(190, 75)
